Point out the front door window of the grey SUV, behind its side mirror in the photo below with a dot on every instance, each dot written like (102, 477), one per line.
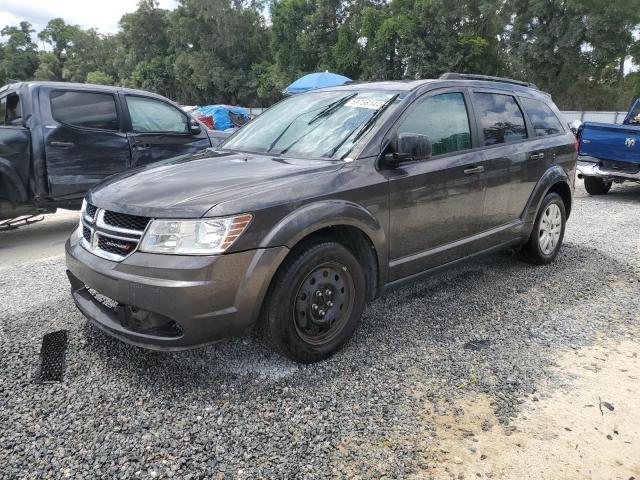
(444, 119)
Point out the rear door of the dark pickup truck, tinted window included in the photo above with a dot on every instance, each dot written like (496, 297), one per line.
(83, 140)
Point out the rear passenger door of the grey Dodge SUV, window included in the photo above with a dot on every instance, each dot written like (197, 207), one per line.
(507, 157)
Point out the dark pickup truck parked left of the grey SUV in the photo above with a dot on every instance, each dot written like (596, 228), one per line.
(57, 140)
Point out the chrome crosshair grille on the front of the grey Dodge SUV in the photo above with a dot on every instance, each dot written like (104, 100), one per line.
(111, 235)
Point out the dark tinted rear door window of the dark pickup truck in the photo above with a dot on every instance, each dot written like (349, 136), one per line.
(85, 109)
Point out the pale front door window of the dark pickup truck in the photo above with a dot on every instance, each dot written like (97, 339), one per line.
(149, 115)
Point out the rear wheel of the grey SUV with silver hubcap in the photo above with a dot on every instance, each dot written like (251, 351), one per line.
(548, 231)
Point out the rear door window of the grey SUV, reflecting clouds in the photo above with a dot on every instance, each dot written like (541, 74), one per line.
(500, 117)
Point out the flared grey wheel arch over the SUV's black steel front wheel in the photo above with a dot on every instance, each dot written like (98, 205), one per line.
(318, 215)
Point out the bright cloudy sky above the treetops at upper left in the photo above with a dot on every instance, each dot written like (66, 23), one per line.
(100, 14)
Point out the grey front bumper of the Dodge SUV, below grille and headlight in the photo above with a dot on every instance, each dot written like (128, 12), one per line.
(195, 300)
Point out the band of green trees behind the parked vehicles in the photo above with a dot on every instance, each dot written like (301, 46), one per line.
(247, 51)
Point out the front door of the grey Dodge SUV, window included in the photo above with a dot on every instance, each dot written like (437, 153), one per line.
(436, 205)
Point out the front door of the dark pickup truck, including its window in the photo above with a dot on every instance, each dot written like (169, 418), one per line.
(159, 130)
